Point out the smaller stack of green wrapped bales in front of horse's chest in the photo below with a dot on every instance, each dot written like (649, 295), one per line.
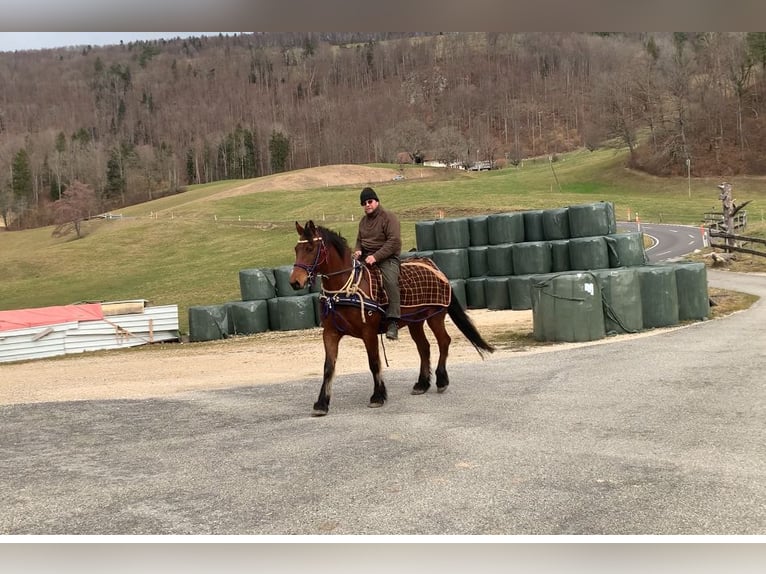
(268, 303)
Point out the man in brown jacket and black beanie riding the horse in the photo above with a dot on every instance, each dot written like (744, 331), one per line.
(379, 241)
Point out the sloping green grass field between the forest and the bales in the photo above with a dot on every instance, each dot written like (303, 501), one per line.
(188, 249)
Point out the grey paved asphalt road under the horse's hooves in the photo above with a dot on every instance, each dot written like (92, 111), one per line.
(661, 434)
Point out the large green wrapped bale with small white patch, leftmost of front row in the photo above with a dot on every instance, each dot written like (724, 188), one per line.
(567, 307)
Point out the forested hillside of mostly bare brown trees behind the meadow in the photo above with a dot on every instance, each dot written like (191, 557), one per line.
(135, 121)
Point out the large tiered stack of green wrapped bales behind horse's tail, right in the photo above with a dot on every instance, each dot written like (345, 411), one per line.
(581, 278)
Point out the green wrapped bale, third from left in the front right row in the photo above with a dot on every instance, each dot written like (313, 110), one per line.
(659, 295)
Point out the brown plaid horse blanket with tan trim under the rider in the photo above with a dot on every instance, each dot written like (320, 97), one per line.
(421, 284)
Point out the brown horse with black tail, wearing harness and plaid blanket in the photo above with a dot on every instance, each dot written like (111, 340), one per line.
(353, 303)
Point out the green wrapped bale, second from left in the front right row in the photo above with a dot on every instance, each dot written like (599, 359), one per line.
(621, 294)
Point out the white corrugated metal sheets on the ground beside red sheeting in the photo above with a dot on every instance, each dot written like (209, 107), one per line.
(152, 325)
